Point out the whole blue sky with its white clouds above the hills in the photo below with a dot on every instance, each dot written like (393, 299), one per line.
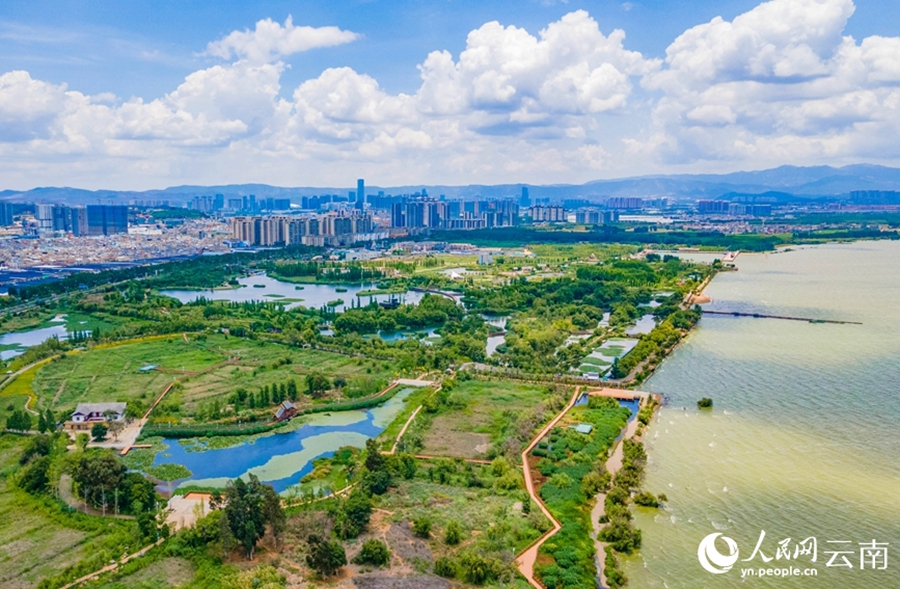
(125, 94)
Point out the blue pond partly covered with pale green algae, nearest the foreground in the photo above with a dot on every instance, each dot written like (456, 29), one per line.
(282, 459)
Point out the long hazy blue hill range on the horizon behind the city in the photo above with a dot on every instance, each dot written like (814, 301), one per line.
(783, 183)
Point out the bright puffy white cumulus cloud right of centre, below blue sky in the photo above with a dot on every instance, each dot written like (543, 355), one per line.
(569, 68)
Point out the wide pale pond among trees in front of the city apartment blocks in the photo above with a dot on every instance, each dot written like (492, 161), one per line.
(260, 287)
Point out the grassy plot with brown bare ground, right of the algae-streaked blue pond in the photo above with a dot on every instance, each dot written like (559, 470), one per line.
(478, 416)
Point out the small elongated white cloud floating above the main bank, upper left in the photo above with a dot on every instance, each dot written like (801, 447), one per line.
(271, 40)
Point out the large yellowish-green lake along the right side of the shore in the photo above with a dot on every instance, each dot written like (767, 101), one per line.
(804, 438)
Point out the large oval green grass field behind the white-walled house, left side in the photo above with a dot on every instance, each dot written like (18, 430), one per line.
(210, 368)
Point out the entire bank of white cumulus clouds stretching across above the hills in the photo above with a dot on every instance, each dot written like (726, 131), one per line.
(780, 83)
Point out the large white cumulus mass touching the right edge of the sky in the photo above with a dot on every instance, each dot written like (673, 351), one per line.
(778, 83)
